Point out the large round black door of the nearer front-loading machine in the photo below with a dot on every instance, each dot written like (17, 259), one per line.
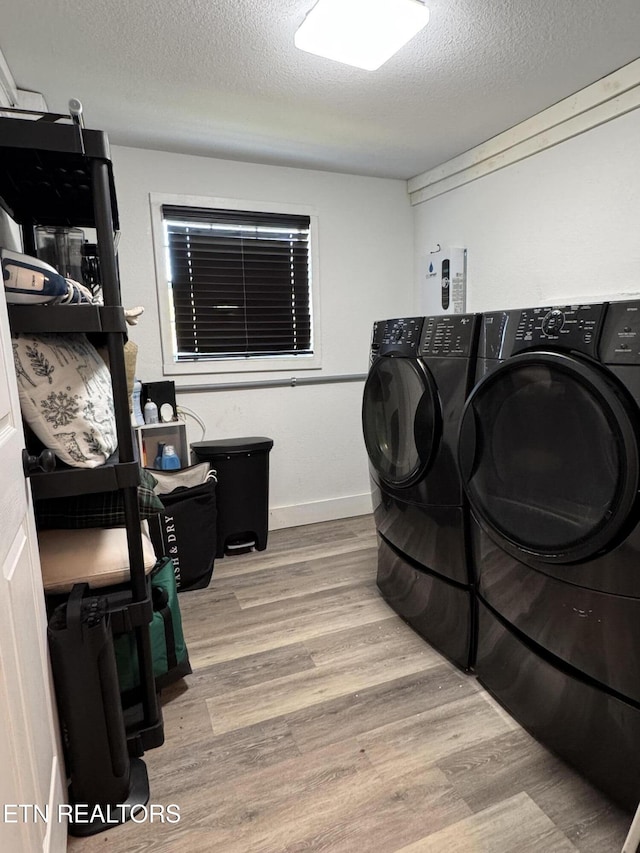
(548, 456)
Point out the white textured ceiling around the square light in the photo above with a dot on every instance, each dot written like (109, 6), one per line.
(222, 77)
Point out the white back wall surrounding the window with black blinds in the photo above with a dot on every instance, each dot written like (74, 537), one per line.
(318, 463)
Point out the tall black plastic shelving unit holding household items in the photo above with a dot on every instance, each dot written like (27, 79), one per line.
(53, 172)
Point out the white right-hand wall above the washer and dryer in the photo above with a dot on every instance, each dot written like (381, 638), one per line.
(562, 224)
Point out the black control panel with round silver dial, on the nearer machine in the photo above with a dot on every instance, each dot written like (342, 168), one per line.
(574, 327)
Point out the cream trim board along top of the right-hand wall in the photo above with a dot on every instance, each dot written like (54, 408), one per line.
(608, 98)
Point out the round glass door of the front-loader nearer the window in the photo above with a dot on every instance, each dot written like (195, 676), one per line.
(401, 419)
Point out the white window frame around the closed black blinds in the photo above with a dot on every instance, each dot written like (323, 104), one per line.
(242, 364)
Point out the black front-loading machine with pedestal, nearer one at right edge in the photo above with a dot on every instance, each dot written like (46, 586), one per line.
(549, 457)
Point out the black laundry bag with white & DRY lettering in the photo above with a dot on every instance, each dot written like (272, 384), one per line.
(187, 532)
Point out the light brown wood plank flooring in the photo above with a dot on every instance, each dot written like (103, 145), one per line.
(316, 720)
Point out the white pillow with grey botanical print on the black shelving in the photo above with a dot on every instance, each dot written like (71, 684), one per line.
(66, 396)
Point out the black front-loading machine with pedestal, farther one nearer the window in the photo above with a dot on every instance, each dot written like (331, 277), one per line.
(420, 374)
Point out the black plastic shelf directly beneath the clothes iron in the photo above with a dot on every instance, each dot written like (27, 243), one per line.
(67, 318)
